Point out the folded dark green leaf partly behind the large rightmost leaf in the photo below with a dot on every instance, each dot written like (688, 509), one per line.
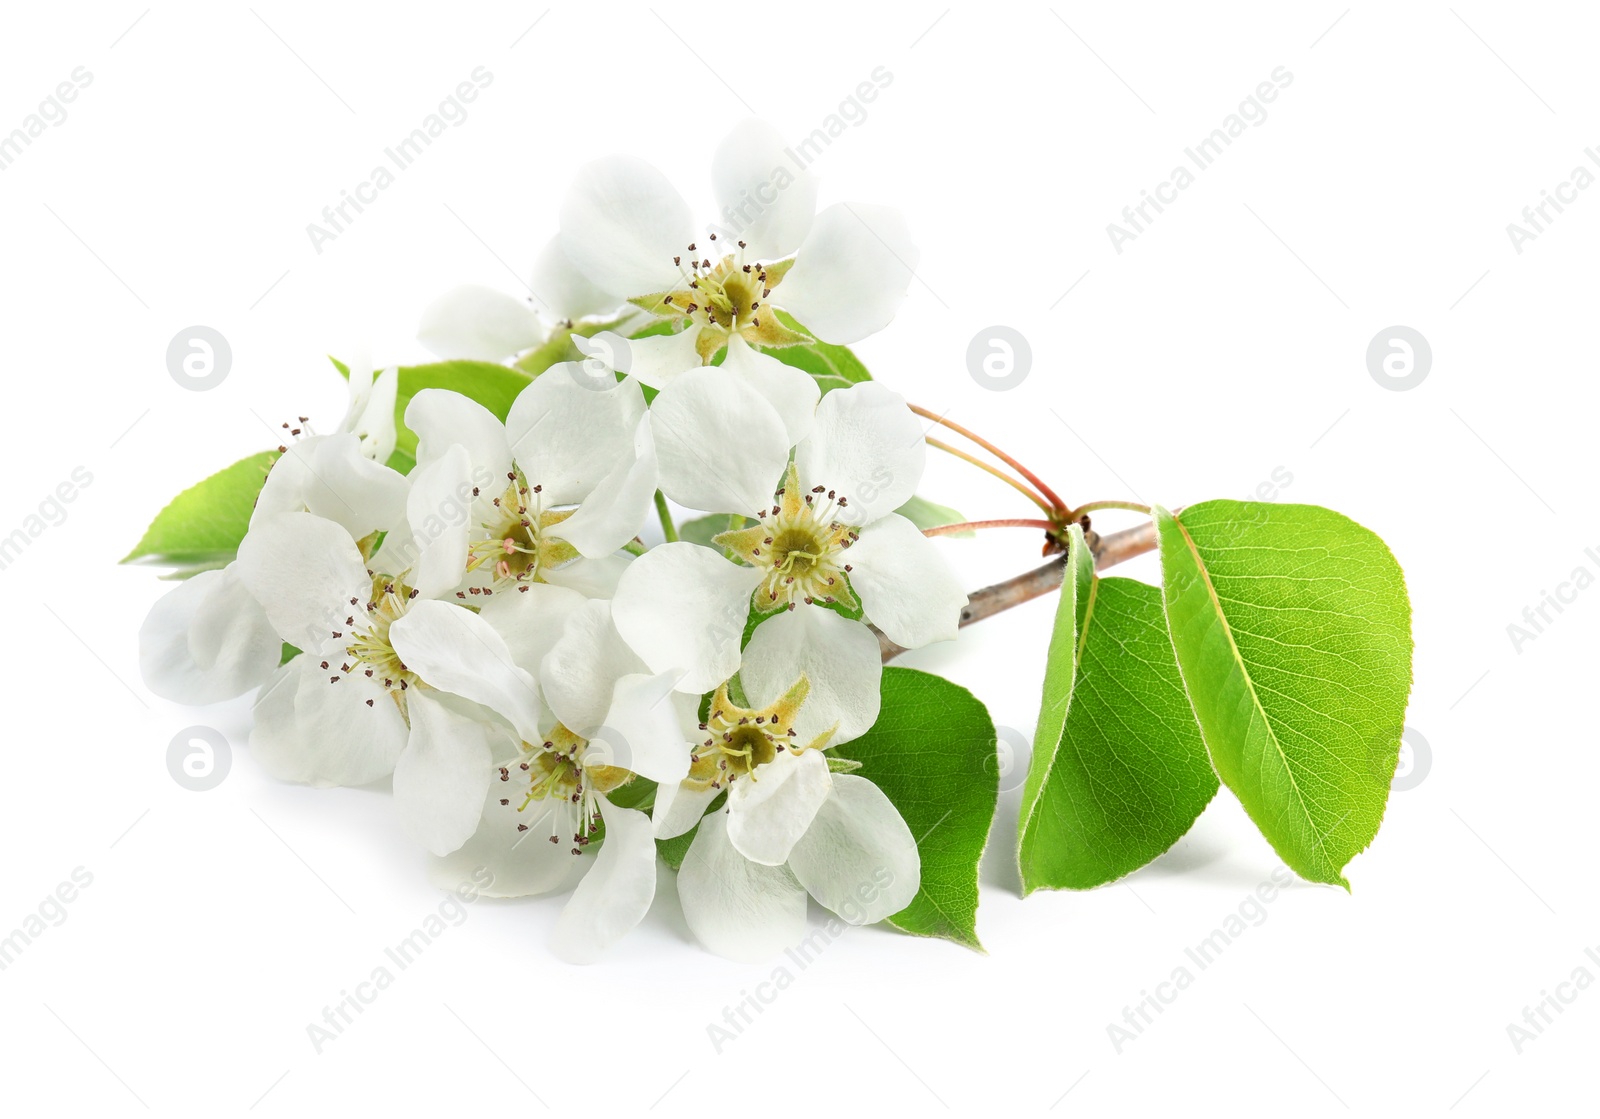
(1119, 769)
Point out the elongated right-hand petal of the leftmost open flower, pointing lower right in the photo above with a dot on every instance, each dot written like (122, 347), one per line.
(455, 651)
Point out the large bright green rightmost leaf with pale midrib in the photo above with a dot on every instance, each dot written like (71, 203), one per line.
(1294, 633)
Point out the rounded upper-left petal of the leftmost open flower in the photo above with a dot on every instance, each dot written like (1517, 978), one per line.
(305, 572)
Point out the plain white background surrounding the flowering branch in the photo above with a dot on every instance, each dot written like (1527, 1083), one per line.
(1223, 343)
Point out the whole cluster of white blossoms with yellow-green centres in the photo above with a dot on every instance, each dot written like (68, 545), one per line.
(550, 696)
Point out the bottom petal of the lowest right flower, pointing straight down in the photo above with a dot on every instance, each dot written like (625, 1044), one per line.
(742, 910)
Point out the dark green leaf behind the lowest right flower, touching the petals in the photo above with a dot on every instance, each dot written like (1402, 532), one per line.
(934, 755)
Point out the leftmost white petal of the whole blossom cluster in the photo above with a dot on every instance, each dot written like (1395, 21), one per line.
(207, 641)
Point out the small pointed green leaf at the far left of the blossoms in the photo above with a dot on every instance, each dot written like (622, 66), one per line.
(202, 526)
